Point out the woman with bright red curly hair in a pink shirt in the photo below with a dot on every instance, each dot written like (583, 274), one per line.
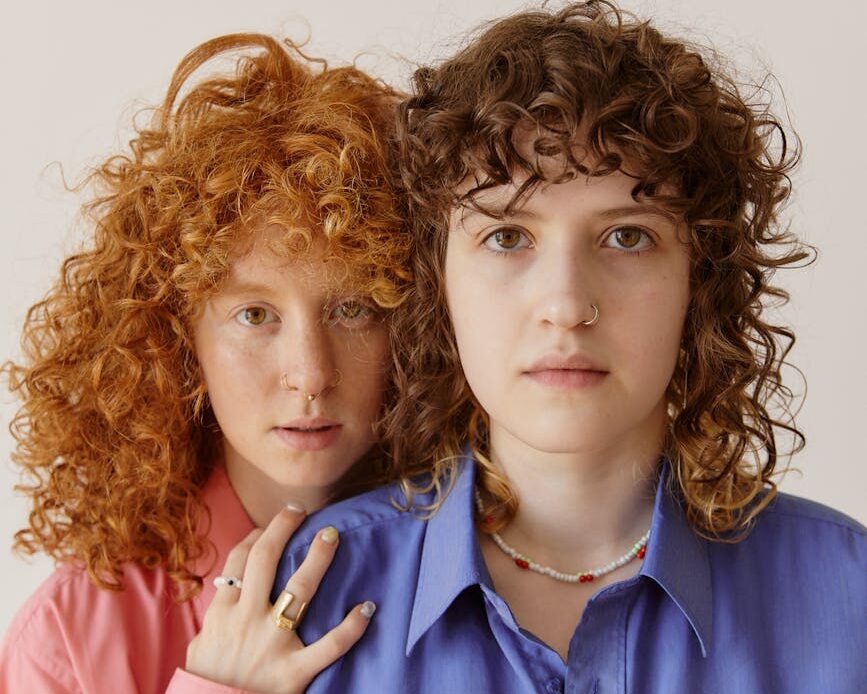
(207, 370)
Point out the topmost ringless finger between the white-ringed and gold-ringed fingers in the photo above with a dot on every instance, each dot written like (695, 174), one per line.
(264, 555)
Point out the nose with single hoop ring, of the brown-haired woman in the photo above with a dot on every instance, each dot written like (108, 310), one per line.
(566, 297)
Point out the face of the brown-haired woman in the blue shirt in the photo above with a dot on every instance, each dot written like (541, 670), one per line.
(519, 292)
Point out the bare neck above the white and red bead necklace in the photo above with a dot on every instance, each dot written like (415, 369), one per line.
(577, 509)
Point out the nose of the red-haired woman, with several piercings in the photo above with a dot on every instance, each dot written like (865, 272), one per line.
(307, 358)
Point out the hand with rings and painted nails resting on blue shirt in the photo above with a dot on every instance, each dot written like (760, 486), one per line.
(240, 645)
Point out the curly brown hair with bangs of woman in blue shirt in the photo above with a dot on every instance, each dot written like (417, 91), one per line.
(592, 78)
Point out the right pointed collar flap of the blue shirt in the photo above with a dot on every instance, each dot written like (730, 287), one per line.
(677, 559)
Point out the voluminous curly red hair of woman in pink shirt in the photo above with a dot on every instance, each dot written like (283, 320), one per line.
(115, 436)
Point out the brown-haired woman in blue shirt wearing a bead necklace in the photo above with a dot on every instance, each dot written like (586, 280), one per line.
(590, 390)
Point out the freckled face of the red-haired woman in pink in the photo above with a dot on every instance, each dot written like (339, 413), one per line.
(278, 332)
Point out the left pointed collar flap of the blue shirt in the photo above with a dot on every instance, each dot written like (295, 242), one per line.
(451, 559)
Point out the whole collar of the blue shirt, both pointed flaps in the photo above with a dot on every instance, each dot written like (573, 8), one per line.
(451, 559)
